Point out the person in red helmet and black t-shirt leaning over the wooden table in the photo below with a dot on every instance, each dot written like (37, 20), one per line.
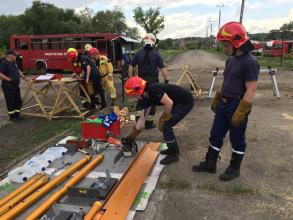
(90, 76)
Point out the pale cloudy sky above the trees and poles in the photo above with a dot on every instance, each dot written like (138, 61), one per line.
(183, 18)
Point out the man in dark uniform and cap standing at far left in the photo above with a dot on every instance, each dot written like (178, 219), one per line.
(10, 76)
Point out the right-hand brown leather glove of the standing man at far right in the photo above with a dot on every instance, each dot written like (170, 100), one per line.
(240, 113)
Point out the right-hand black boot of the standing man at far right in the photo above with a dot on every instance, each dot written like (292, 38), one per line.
(233, 170)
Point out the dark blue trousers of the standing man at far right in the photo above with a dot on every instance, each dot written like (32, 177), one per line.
(222, 124)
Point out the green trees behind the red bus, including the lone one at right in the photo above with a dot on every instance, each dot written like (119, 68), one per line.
(44, 18)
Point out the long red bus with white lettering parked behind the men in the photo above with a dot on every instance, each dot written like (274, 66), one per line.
(48, 52)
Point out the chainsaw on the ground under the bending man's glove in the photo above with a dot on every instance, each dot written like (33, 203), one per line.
(128, 149)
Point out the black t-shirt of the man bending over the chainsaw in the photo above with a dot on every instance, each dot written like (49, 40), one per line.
(177, 94)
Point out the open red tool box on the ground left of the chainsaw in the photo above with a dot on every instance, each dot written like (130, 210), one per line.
(98, 131)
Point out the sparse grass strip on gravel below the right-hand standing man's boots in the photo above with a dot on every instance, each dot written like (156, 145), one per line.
(232, 189)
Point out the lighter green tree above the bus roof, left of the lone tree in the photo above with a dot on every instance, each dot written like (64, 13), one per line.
(110, 21)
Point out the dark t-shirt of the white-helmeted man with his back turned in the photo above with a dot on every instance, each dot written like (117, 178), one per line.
(148, 62)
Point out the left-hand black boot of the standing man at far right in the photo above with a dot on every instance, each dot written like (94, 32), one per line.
(210, 163)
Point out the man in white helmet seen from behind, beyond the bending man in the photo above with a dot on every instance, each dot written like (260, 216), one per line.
(149, 62)
